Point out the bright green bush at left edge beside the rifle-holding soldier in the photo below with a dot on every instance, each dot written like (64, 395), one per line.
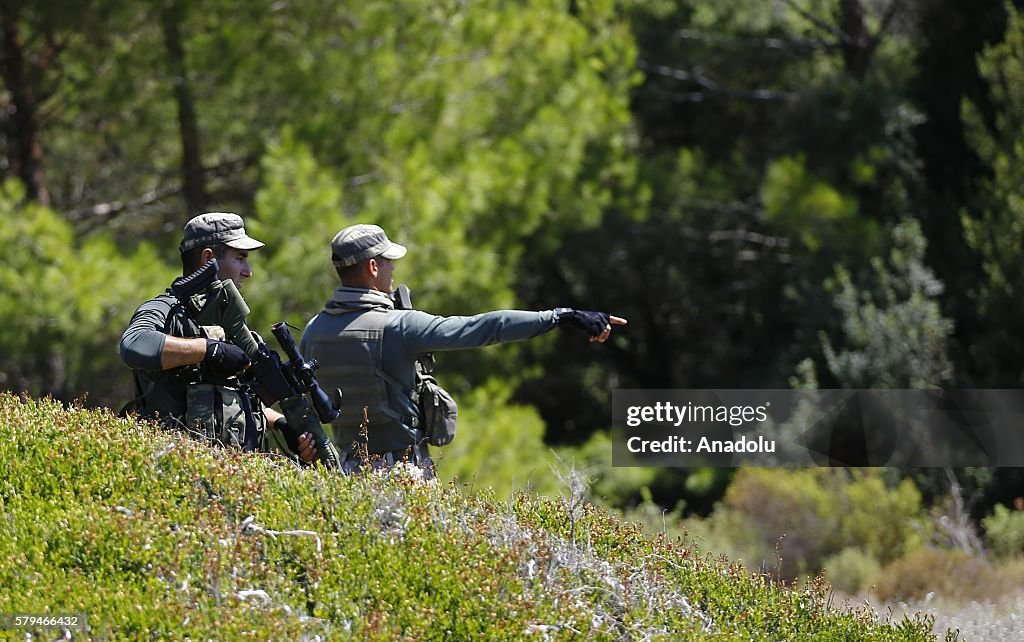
(64, 304)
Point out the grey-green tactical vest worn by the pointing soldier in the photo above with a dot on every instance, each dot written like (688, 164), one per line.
(353, 361)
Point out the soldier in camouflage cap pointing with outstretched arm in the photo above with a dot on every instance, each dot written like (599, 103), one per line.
(372, 351)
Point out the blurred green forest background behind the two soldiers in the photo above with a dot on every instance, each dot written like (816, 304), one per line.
(777, 194)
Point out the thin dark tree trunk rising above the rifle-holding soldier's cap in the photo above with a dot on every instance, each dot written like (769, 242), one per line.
(194, 180)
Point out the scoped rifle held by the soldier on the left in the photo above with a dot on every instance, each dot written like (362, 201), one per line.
(273, 380)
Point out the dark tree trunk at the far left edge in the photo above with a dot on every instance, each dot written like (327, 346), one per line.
(25, 151)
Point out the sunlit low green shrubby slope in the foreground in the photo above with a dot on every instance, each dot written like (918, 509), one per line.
(155, 537)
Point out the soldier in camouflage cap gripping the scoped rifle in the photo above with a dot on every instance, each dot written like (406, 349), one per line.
(177, 365)
